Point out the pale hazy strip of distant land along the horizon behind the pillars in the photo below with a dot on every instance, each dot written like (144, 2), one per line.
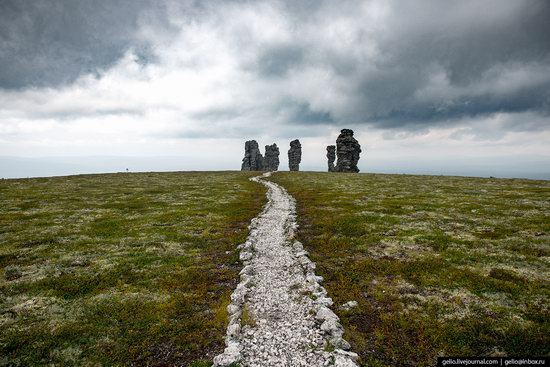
(13, 167)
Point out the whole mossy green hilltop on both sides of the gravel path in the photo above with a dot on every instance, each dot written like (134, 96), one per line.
(138, 268)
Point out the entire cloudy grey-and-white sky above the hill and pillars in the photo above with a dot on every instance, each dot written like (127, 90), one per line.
(439, 87)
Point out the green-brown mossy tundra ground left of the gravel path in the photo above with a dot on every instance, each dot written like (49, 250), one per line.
(132, 269)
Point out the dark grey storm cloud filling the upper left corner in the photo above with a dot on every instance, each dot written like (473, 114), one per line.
(52, 42)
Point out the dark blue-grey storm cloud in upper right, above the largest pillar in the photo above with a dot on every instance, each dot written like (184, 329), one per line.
(472, 47)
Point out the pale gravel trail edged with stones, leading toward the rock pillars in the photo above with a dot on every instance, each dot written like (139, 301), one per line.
(279, 314)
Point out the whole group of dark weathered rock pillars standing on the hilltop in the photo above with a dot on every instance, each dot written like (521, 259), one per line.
(346, 150)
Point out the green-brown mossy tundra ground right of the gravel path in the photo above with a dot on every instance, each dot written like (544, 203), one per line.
(438, 265)
